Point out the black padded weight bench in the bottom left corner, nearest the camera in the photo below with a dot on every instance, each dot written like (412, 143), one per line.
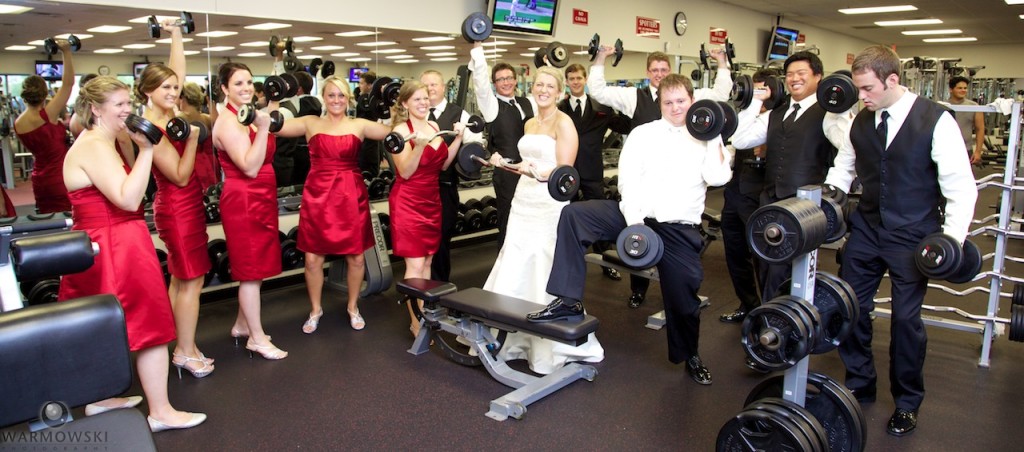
(61, 356)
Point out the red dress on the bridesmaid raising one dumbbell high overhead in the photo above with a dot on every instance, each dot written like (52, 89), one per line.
(181, 221)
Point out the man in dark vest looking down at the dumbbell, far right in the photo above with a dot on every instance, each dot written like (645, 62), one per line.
(911, 158)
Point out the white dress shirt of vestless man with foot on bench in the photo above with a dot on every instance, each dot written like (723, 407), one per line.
(664, 174)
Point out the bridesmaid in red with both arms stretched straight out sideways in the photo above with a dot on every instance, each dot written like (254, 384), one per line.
(334, 218)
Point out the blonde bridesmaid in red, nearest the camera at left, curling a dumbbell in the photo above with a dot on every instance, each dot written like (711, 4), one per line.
(106, 197)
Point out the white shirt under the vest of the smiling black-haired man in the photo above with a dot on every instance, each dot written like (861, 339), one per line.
(752, 128)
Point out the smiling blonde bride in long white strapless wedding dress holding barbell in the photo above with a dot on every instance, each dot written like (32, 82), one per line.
(525, 262)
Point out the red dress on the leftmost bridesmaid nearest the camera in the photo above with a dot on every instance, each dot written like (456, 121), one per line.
(126, 267)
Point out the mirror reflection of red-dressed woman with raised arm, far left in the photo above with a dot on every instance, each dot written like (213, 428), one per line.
(38, 129)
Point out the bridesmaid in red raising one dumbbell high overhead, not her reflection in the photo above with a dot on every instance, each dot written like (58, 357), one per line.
(179, 212)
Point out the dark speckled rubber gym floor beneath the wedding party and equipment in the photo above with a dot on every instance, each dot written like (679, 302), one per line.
(346, 390)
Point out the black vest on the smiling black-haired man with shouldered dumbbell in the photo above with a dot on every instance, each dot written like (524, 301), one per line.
(798, 156)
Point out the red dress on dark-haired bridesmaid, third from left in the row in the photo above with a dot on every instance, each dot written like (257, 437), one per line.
(249, 215)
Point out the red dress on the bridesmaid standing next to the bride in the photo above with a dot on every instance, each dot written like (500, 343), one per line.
(416, 207)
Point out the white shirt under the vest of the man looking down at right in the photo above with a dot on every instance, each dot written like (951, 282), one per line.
(949, 153)
